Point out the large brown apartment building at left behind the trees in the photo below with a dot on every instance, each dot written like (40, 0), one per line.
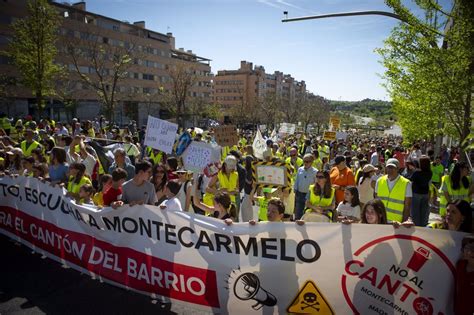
(139, 93)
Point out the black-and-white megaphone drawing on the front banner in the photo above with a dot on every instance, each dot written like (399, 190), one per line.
(247, 286)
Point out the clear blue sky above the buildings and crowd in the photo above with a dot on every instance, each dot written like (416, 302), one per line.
(335, 57)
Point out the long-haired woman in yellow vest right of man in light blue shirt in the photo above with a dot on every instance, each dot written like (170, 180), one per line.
(320, 198)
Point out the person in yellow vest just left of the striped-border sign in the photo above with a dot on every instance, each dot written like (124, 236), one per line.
(226, 180)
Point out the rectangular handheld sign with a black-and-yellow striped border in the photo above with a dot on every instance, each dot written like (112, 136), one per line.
(272, 174)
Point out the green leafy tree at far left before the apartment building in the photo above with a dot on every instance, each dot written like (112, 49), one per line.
(33, 49)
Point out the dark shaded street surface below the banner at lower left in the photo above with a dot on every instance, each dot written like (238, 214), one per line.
(32, 285)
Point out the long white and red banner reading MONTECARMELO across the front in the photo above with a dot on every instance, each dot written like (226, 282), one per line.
(316, 268)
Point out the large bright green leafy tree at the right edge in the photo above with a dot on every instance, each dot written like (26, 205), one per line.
(431, 86)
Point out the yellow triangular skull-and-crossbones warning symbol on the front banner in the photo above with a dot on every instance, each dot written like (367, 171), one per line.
(310, 300)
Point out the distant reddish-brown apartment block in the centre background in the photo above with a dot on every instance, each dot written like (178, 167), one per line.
(250, 83)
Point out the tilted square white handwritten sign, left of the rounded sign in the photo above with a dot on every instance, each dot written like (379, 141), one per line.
(160, 134)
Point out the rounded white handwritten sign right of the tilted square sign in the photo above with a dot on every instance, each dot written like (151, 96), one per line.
(199, 154)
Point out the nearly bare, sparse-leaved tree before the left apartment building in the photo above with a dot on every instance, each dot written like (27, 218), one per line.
(102, 65)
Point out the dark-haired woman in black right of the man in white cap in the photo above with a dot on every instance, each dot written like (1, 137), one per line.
(421, 180)
